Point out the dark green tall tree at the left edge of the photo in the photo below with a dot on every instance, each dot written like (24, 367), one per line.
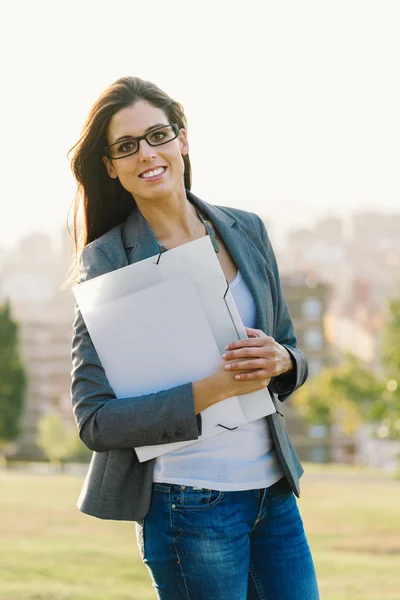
(12, 379)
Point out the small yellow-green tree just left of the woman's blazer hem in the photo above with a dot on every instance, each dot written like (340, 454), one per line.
(59, 440)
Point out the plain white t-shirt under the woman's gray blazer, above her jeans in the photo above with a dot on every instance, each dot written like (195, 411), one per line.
(242, 459)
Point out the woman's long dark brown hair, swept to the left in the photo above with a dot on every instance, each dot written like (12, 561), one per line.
(104, 202)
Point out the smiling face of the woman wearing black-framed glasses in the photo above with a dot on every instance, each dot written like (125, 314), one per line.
(133, 171)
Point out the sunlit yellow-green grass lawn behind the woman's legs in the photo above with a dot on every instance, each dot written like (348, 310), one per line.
(50, 551)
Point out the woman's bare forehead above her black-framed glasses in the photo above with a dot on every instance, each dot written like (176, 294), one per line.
(134, 120)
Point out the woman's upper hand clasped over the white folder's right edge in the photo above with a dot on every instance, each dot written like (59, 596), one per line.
(260, 355)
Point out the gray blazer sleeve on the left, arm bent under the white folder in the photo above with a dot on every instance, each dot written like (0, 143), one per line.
(106, 423)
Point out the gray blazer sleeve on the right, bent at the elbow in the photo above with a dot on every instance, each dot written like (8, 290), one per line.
(283, 385)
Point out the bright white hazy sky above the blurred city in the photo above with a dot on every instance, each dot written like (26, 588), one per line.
(293, 107)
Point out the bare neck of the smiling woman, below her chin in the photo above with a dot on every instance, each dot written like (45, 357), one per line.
(171, 218)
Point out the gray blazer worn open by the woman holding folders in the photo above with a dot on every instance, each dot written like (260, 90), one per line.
(117, 486)
